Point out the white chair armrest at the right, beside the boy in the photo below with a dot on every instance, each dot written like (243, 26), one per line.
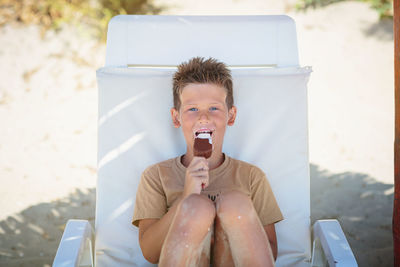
(330, 245)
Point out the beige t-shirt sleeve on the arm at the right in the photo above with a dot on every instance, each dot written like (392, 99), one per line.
(263, 199)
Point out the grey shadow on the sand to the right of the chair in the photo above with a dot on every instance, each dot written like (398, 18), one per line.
(364, 209)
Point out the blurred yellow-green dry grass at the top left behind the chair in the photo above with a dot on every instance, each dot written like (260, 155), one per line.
(92, 16)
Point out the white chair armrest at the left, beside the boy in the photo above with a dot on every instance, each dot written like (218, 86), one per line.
(76, 245)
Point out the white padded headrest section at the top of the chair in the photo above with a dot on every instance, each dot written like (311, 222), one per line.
(170, 40)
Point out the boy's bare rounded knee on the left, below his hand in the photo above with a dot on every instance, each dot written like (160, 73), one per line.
(197, 211)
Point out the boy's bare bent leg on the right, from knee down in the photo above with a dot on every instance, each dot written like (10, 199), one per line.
(248, 242)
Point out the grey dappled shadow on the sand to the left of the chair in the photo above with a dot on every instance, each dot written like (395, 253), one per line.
(31, 237)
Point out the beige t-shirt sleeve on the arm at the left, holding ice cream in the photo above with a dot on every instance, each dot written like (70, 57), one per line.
(150, 197)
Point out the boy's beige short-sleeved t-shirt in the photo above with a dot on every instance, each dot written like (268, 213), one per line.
(161, 184)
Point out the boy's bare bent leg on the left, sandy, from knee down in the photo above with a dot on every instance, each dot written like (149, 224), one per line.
(188, 240)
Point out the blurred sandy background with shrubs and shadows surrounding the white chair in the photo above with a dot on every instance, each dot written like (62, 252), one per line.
(50, 50)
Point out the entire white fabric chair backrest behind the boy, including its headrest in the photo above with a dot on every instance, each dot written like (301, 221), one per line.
(134, 106)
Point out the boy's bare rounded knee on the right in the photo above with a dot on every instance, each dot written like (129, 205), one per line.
(234, 206)
